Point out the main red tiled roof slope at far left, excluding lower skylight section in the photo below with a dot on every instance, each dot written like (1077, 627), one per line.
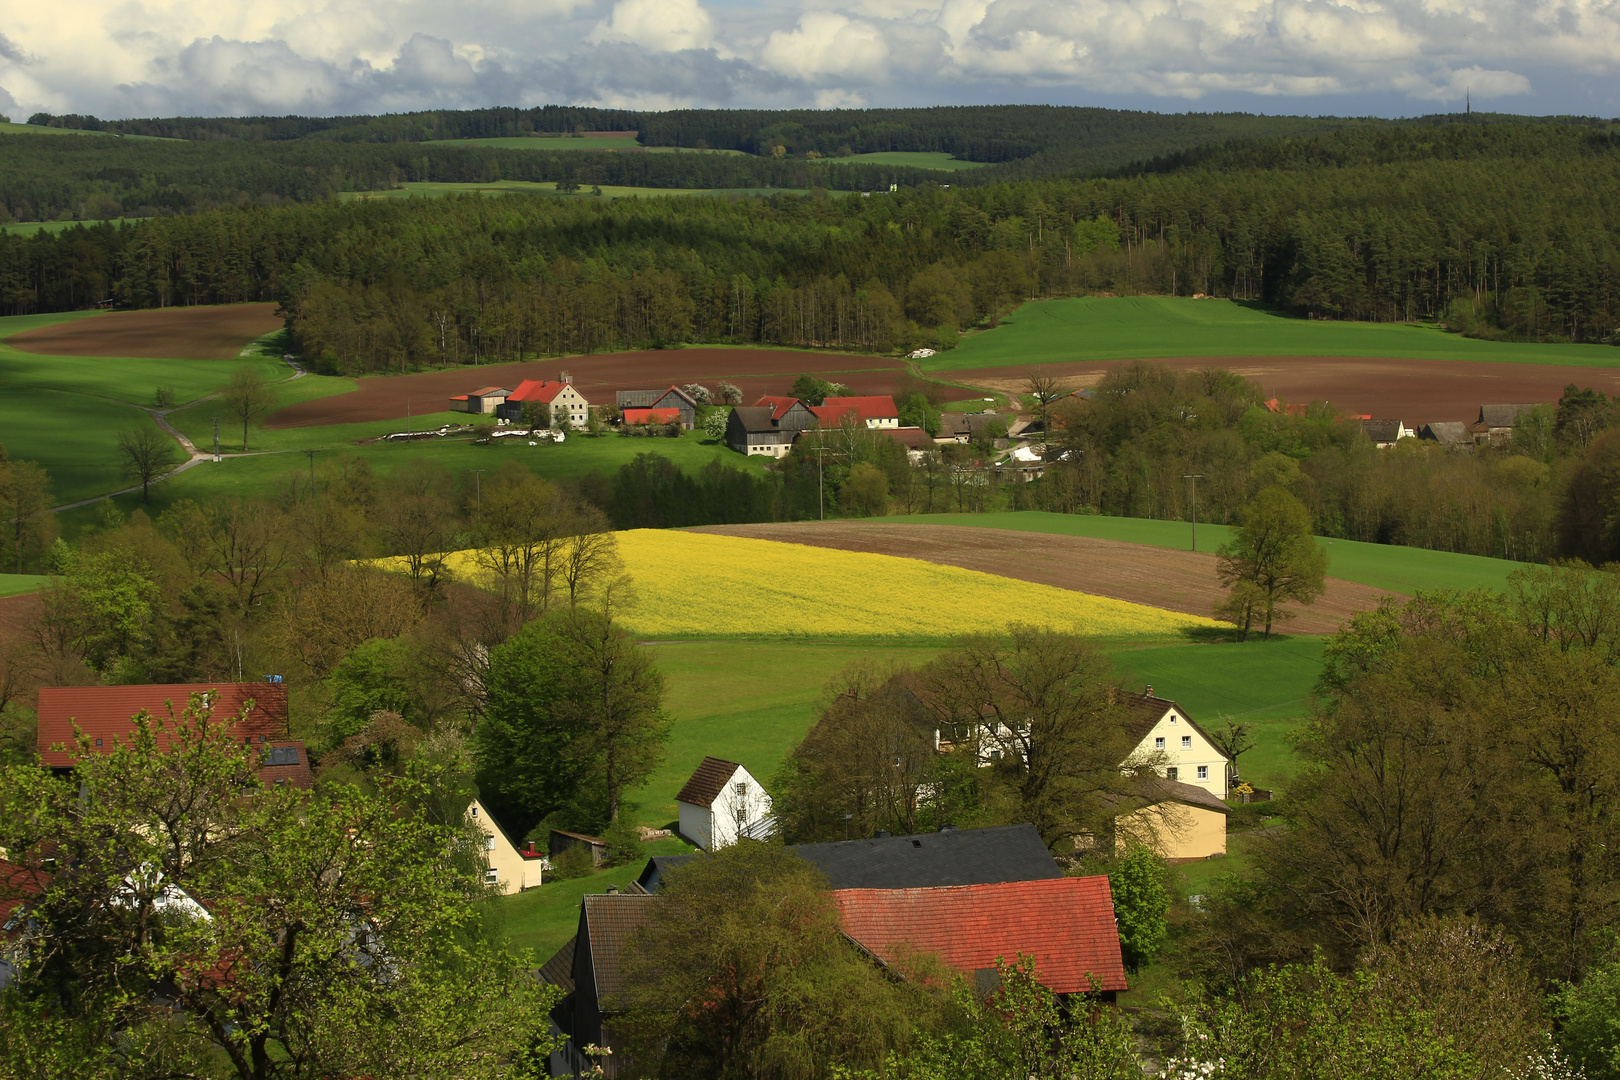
(106, 713)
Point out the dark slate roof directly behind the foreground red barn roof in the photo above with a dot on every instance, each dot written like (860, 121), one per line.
(957, 857)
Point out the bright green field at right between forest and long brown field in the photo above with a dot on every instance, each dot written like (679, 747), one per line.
(1161, 328)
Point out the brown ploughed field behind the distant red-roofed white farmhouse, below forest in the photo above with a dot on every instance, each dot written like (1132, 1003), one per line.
(599, 378)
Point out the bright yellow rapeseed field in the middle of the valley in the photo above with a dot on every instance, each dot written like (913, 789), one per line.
(704, 585)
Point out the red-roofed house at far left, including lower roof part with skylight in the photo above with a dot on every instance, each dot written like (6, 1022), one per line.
(255, 713)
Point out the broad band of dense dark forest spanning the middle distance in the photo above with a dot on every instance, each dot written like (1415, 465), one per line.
(1499, 231)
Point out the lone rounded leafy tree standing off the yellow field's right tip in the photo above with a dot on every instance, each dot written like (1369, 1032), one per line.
(1273, 559)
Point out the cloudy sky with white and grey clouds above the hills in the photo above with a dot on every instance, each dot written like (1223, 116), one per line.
(331, 57)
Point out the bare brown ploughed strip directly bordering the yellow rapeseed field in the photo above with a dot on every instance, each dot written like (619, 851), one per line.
(1159, 577)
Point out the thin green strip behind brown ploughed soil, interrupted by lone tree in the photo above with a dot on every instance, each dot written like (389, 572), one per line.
(1381, 566)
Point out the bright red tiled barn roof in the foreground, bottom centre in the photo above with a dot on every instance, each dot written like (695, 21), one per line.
(1065, 924)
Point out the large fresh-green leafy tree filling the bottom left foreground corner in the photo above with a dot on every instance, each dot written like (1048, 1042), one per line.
(189, 922)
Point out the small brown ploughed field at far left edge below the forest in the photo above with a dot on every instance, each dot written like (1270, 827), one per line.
(163, 334)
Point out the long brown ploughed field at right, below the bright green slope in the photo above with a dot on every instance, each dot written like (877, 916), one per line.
(1413, 391)
